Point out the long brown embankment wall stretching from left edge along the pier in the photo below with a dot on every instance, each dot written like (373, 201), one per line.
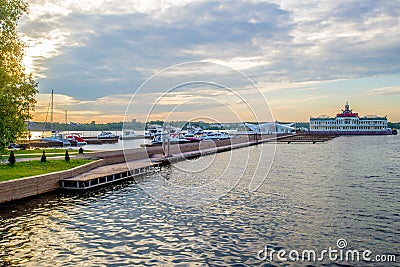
(36, 185)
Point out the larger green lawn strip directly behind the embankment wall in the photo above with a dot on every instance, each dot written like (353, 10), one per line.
(35, 167)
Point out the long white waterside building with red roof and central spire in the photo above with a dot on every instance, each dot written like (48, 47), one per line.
(349, 123)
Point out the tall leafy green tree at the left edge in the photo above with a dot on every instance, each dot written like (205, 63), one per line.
(17, 89)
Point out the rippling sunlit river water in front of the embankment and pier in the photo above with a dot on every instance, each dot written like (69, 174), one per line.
(347, 188)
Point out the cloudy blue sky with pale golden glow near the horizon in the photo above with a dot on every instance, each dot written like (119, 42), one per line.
(281, 60)
